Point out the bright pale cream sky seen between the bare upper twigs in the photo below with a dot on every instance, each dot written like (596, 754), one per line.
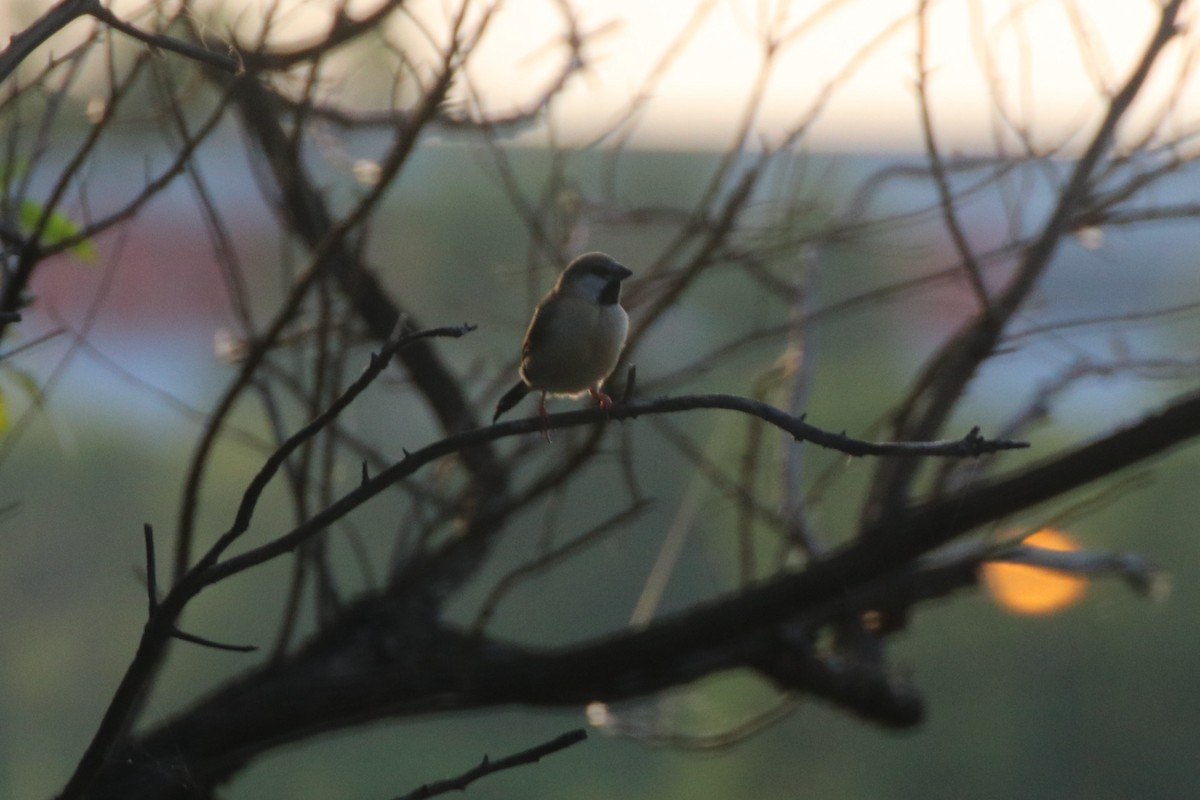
(1054, 61)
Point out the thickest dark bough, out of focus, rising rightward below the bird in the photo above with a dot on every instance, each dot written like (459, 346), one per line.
(383, 660)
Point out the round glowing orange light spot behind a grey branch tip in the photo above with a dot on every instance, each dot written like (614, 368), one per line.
(1025, 590)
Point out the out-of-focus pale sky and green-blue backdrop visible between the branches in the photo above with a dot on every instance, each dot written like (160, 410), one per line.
(1094, 701)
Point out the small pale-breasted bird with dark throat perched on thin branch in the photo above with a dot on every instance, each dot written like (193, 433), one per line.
(575, 336)
